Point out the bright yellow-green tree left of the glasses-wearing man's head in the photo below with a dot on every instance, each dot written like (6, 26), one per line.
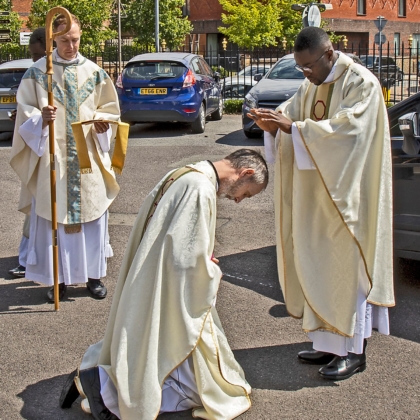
(257, 23)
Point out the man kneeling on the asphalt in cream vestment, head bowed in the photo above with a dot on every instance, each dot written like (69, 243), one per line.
(164, 348)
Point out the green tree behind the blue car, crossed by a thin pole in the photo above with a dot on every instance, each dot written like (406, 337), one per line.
(139, 22)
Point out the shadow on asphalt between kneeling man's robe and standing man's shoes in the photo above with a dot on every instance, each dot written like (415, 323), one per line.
(277, 368)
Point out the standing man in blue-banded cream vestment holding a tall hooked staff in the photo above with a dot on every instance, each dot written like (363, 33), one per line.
(82, 91)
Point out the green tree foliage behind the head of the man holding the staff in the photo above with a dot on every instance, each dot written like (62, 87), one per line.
(92, 15)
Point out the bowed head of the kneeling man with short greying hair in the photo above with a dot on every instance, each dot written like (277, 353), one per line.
(242, 174)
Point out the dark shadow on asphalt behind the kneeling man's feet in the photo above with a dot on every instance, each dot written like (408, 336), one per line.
(40, 401)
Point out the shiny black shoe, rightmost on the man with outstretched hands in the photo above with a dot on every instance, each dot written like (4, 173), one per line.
(344, 367)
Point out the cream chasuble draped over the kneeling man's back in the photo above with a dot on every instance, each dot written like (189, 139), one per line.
(162, 311)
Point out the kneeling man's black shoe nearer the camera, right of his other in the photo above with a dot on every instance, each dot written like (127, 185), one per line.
(91, 384)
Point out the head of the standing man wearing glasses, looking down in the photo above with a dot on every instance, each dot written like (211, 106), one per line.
(314, 54)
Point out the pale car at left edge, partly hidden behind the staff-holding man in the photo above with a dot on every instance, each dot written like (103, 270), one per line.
(11, 74)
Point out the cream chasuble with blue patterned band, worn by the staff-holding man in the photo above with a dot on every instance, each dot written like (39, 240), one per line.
(82, 91)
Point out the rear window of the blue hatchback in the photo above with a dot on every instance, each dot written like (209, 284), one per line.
(152, 70)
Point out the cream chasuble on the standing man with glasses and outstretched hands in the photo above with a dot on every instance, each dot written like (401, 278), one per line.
(330, 219)
